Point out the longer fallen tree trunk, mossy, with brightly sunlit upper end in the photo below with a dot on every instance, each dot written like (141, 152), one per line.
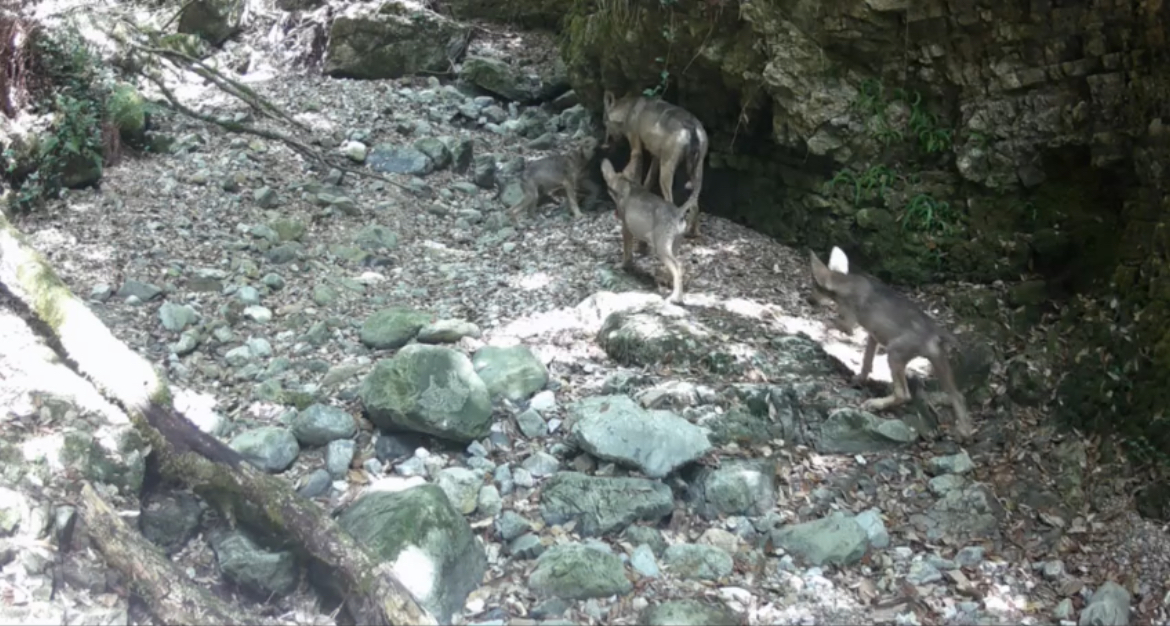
(185, 453)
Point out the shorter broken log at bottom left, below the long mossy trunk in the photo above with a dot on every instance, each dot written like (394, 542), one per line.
(173, 597)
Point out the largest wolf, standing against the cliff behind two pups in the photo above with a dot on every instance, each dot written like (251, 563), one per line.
(671, 135)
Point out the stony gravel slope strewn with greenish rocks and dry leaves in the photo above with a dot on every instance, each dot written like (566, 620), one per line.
(559, 444)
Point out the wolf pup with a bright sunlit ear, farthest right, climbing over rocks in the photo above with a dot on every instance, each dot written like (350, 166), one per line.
(894, 322)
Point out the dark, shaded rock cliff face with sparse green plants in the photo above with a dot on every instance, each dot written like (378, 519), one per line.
(967, 140)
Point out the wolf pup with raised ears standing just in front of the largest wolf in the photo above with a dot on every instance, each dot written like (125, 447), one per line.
(648, 218)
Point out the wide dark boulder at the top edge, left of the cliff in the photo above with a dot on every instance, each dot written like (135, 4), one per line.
(391, 42)
